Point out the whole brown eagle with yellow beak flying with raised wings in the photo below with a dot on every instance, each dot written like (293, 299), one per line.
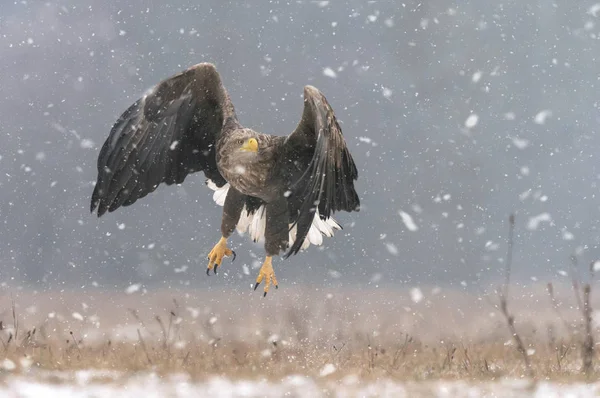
(283, 189)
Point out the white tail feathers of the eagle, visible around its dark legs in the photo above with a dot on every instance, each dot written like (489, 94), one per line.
(255, 223)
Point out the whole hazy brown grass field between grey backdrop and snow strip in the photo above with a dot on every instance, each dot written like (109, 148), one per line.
(367, 333)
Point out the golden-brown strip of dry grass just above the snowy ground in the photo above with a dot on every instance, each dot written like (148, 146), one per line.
(410, 361)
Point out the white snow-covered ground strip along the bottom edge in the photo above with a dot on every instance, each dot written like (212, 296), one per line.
(111, 384)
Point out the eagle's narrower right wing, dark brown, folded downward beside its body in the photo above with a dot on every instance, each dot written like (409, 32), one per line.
(319, 169)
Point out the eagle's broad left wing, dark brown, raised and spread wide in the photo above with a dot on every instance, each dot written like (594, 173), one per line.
(167, 134)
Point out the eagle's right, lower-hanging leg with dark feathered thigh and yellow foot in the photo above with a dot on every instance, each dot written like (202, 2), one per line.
(276, 240)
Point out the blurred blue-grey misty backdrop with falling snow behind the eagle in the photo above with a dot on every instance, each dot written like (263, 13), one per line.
(456, 113)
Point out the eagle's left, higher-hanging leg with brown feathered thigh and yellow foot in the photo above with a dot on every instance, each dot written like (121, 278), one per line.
(232, 209)
